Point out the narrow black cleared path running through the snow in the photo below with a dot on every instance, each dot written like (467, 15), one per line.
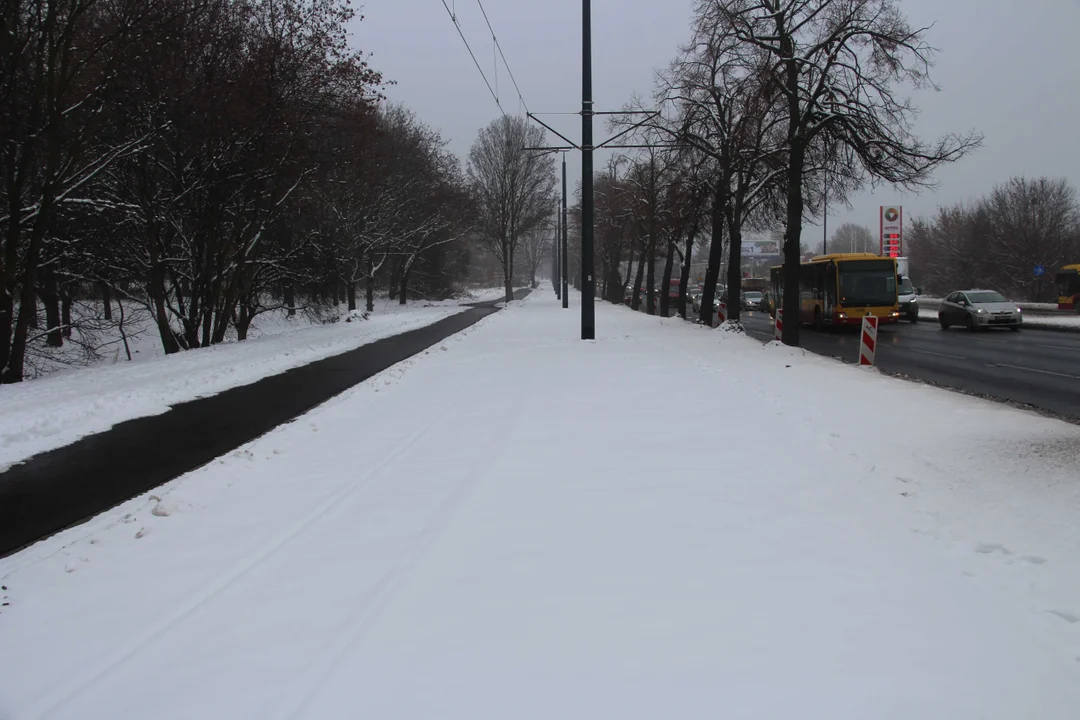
(64, 487)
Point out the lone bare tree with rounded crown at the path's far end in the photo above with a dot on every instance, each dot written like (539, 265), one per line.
(514, 189)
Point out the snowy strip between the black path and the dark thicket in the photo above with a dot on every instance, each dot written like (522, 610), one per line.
(59, 409)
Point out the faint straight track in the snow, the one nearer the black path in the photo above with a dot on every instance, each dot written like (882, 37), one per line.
(138, 644)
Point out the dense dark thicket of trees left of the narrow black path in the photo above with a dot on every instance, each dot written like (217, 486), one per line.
(208, 161)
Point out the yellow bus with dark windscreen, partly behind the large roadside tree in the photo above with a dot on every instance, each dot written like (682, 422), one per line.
(842, 289)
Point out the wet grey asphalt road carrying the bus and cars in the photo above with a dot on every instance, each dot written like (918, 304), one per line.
(1036, 369)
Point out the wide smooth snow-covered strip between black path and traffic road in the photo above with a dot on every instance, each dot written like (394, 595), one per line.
(668, 523)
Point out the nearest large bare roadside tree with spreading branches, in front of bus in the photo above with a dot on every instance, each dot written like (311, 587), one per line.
(839, 67)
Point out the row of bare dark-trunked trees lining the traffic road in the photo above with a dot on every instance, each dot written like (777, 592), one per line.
(767, 101)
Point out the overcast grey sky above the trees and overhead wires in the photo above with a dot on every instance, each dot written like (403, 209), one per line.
(1007, 69)
